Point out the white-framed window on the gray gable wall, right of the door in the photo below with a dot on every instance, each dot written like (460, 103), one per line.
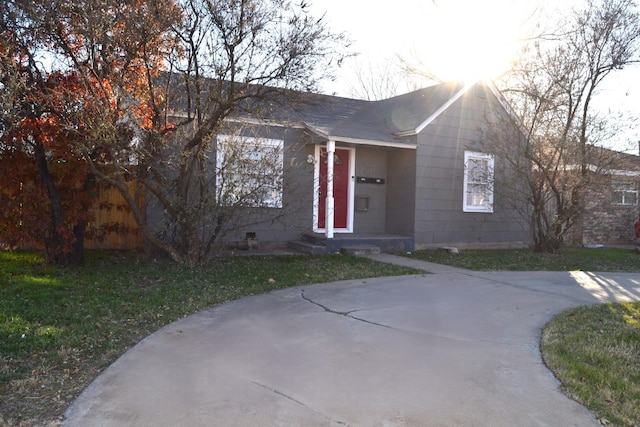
(478, 189)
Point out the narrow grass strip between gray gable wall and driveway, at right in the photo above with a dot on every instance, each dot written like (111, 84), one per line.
(568, 259)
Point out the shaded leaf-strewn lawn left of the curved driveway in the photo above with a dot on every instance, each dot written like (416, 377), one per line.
(59, 328)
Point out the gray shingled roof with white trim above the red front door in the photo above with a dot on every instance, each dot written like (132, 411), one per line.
(385, 122)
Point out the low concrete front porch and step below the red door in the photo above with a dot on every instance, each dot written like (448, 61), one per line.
(316, 243)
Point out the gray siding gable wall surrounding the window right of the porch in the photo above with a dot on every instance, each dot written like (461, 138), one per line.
(440, 219)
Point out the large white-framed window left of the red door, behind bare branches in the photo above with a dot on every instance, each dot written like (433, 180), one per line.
(251, 150)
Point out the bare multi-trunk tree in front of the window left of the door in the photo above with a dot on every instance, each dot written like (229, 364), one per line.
(236, 58)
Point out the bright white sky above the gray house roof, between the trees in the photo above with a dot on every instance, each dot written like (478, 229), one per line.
(460, 39)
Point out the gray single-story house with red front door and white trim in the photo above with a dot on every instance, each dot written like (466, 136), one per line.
(405, 172)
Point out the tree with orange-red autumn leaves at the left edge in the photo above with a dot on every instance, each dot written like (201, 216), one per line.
(111, 53)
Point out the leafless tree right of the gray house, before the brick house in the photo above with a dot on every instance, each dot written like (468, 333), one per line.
(552, 91)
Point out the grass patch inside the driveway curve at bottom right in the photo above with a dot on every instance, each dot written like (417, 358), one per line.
(595, 352)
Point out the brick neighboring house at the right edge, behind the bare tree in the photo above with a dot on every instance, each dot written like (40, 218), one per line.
(611, 208)
